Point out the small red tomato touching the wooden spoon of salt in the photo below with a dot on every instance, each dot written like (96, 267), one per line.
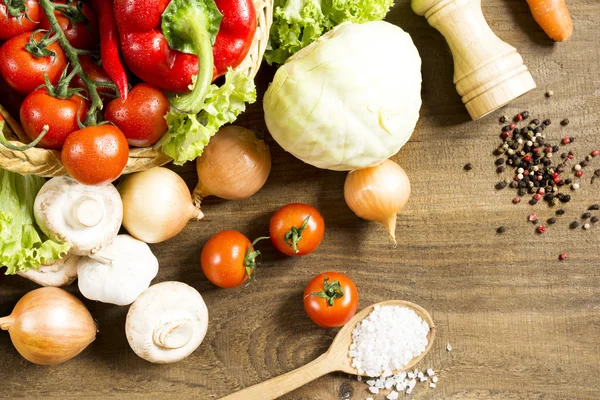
(330, 299)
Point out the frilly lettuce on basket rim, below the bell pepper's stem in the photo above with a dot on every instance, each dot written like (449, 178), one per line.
(188, 134)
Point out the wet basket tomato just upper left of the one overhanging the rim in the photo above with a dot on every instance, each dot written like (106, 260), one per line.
(40, 108)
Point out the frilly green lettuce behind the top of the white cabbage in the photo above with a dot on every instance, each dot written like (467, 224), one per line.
(298, 23)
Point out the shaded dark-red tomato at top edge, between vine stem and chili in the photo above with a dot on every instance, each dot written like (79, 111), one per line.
(82, 35)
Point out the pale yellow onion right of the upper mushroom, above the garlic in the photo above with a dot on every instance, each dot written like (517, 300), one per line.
(157, 204)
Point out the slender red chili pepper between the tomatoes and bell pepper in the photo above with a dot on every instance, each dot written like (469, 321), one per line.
(109, 45)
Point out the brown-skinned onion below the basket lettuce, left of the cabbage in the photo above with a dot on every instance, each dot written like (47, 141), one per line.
(234, 165)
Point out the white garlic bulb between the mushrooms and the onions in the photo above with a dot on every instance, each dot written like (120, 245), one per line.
(119, 273)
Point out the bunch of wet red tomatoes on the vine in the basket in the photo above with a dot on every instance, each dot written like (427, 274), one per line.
(32, 64)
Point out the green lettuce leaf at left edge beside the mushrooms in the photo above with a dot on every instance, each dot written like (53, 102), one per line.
(22, 244)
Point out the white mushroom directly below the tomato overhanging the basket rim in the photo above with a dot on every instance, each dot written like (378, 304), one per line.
(86, 217)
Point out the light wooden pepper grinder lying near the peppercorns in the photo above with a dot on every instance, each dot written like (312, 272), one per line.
(488, 73)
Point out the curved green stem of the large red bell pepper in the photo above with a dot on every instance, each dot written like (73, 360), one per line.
(193, 101)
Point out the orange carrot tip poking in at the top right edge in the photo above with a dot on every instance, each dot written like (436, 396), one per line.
(554, 18)
